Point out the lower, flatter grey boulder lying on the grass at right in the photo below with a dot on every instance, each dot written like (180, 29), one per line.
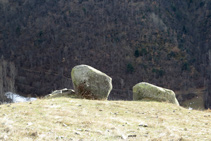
(146, 91)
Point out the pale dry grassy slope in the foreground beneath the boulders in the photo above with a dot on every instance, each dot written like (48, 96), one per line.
(69, 118)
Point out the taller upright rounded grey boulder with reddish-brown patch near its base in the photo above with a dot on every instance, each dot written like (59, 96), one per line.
(91, 83)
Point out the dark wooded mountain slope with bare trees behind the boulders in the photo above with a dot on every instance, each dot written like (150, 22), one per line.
(166, 43)
